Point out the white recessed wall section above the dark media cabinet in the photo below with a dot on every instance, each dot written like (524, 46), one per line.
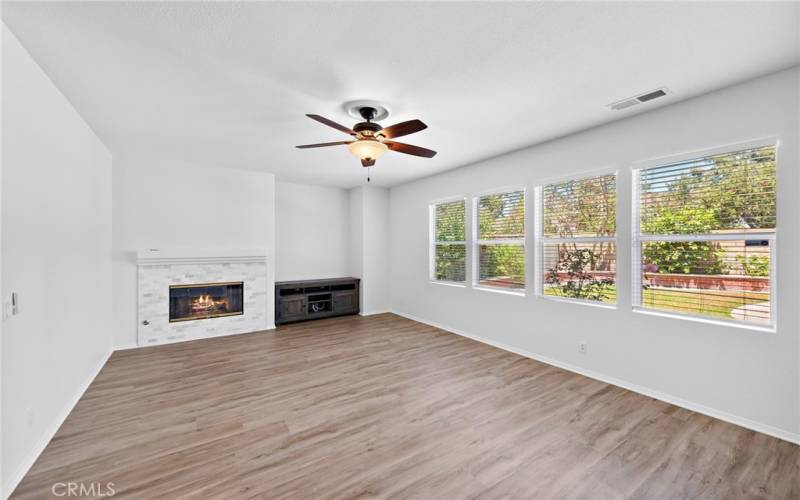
(312, 231)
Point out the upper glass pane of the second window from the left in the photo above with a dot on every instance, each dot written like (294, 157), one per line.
(501, 216)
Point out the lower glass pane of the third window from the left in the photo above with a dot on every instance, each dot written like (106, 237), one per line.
(581, 271)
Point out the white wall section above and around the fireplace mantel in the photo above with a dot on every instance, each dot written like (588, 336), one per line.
(167, 205)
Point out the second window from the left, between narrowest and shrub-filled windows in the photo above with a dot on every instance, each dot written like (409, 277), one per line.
(500, 240)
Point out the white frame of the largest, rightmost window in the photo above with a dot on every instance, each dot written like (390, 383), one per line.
(637, 238)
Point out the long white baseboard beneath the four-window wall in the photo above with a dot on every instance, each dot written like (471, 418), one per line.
(667, 398)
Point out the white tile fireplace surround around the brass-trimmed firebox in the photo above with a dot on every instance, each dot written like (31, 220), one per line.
(158, 269)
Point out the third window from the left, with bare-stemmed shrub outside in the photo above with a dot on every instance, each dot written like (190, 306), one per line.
(577, 239)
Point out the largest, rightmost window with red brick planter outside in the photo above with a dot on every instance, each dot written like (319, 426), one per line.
(706, 234)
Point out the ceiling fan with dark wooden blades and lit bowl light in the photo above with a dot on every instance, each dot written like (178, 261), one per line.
(371, 140)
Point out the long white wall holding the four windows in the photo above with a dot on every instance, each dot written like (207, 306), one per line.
(742, 375)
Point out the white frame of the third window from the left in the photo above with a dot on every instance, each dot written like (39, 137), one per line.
(542, 240)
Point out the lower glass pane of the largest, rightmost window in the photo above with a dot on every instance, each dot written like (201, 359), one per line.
(725, 279)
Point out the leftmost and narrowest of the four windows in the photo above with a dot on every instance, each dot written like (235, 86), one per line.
(449, 246)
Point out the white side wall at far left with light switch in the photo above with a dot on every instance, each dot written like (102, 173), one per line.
(56, 254)
